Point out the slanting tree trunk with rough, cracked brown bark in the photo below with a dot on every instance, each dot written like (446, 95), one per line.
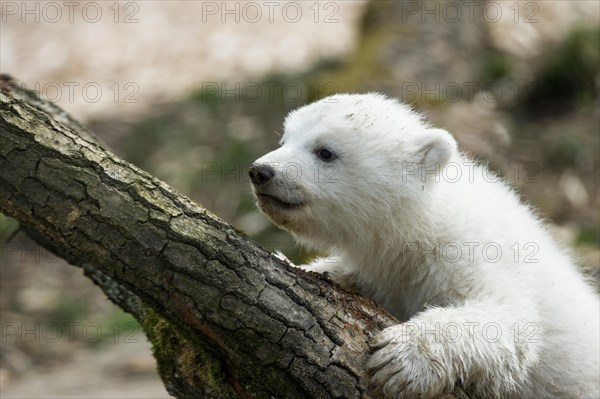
(225, 317)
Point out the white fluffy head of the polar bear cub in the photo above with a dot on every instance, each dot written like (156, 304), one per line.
(348, 163)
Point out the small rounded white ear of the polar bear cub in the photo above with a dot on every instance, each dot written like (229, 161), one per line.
(433, 148)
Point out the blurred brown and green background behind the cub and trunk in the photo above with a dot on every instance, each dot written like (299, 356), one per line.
(194, 91)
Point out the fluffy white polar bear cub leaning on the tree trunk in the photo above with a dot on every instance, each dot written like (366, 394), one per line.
(486, 298)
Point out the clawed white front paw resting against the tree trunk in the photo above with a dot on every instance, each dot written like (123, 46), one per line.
(407, 365)
